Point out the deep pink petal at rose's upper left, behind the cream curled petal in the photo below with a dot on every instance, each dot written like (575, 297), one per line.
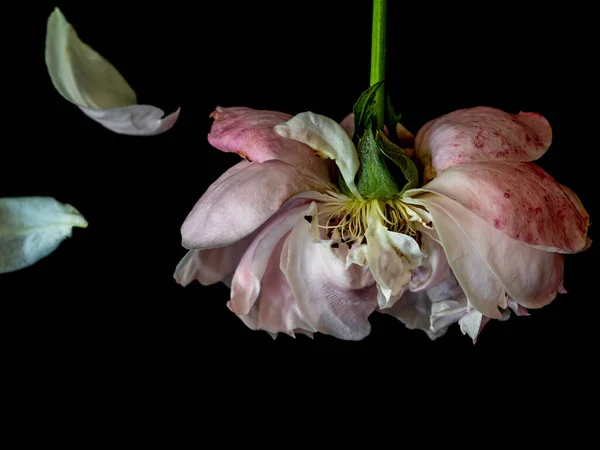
(250, 133)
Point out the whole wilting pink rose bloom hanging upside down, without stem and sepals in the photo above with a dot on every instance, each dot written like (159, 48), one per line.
(300, 256)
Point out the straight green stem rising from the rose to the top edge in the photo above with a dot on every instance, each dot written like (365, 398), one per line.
(378, 57)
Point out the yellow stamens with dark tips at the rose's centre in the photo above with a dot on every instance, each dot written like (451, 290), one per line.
(346, 219)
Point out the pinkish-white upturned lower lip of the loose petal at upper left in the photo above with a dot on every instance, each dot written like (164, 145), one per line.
(134, 120)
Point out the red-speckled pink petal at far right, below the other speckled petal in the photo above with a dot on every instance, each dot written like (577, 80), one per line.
(520, 199)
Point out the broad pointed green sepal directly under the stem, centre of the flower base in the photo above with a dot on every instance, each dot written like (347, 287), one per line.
(374, 179)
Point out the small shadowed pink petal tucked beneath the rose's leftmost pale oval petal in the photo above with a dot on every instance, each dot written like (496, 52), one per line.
(212, 265)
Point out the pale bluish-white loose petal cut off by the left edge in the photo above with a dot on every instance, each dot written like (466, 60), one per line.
(33, 227)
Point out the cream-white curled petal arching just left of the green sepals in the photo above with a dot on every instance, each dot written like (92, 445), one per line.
(328, 139)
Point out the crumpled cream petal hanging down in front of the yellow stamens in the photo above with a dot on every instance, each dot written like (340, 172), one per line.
(391, 258)
